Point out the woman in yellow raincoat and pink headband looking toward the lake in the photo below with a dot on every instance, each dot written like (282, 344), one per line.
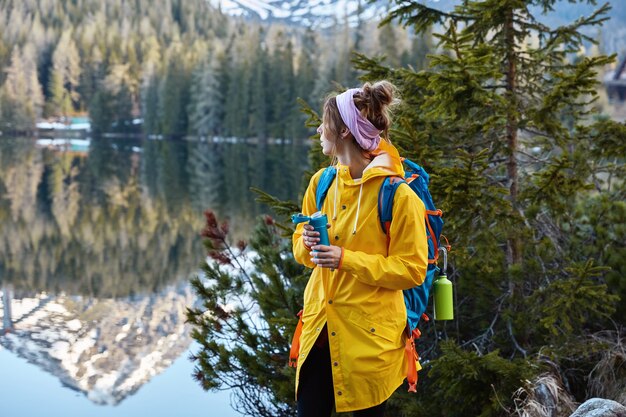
(351, 347)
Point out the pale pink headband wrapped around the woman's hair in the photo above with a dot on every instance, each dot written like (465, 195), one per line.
(365, 133)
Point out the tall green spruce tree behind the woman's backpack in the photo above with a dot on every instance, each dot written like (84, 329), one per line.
(499, 103)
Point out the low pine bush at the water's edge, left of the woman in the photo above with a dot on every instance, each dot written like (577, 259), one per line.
(249, 303)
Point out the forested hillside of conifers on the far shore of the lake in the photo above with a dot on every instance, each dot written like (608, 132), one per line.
(181, 66)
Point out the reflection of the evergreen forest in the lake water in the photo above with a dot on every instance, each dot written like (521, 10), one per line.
(124, 218)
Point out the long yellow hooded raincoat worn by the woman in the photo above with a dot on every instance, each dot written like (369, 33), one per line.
(362, 302)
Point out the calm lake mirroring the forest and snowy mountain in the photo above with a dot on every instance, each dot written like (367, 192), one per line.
(98, 241)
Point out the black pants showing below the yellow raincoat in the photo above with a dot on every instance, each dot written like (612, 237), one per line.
(315, 391)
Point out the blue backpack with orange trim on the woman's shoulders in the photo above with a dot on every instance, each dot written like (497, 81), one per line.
(416, 298)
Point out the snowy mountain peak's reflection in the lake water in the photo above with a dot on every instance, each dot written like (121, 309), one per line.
(104, 348)
